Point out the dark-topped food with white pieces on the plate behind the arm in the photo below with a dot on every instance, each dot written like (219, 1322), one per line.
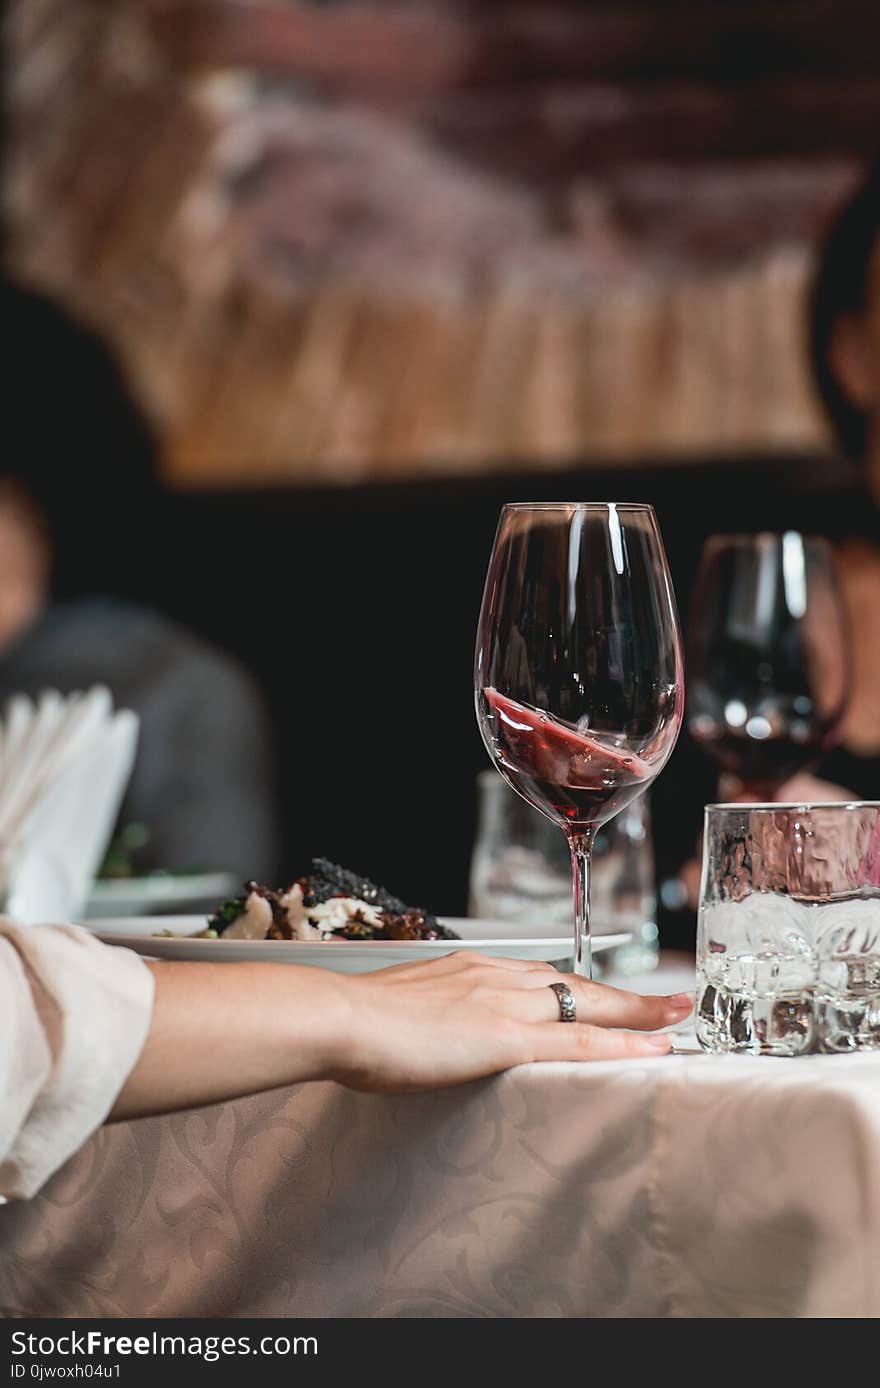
(330, 903)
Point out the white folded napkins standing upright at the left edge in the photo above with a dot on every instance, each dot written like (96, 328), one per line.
(65, 765)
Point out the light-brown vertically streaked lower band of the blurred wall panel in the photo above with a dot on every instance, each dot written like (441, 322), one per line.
(371, 389)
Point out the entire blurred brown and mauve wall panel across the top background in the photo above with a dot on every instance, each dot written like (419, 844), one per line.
(355, 242)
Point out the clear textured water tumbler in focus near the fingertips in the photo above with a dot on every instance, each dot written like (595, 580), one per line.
(789, 938)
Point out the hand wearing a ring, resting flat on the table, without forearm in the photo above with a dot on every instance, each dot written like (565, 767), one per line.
(427, 1026)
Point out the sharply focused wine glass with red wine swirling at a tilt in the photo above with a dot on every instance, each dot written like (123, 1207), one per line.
(578, 675)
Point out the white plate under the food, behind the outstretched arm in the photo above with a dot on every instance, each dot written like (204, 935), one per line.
(493, 938)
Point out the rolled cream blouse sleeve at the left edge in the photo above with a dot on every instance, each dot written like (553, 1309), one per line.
(74, 1017)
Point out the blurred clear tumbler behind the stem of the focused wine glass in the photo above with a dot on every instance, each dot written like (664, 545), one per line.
(521, 872)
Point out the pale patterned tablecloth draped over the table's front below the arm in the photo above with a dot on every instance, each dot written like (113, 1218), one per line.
(688, 1186)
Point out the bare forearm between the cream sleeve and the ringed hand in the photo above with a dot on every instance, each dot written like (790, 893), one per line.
(221, 1031)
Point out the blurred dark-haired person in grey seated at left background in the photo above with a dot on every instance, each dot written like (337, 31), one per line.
(80, 516)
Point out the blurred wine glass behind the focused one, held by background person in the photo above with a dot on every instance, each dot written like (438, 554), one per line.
(768, 659)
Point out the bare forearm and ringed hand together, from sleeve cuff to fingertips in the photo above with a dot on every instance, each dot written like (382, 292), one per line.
(221, 1031)
